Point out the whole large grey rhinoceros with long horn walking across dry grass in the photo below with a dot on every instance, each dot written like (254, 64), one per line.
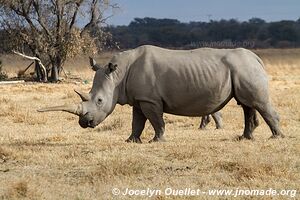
(197, 82)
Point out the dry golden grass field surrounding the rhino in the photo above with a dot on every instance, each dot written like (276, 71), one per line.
(49, 156)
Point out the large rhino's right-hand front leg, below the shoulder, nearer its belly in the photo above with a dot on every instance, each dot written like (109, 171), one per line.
(154, 113)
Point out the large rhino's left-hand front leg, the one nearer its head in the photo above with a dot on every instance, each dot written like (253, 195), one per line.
(138, 124)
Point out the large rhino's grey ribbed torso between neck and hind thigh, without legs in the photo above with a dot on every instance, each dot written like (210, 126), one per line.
(189, 83)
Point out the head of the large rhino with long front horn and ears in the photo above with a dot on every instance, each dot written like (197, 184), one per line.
(99, 102)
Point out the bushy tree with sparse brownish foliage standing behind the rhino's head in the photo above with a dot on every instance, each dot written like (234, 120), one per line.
(53, 30)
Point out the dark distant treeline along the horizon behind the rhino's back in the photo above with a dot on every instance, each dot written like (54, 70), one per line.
(255, 33)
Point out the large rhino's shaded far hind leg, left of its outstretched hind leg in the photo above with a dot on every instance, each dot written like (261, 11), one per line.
(251, 122)
